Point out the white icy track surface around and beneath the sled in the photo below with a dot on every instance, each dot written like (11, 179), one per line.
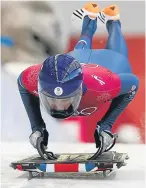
(130, 176)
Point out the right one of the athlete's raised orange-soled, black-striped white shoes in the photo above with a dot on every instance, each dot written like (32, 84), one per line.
(109, 13)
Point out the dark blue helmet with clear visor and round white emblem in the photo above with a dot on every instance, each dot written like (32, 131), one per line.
(60, 85)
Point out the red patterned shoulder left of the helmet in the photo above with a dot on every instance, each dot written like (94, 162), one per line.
(29, 78)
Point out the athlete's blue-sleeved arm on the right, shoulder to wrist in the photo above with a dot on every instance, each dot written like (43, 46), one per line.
(129, 87)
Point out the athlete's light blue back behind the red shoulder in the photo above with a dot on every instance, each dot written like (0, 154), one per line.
(112, 60)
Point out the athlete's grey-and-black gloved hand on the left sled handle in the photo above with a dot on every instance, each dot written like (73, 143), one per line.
(43, 133)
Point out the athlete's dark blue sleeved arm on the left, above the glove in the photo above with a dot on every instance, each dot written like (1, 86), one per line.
(32, 106)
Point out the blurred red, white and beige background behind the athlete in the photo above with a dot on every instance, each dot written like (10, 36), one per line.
(33, 30)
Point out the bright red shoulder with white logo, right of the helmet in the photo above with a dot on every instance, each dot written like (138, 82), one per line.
(101, 79)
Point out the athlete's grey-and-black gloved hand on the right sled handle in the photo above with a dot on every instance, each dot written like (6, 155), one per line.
(103, 139)
